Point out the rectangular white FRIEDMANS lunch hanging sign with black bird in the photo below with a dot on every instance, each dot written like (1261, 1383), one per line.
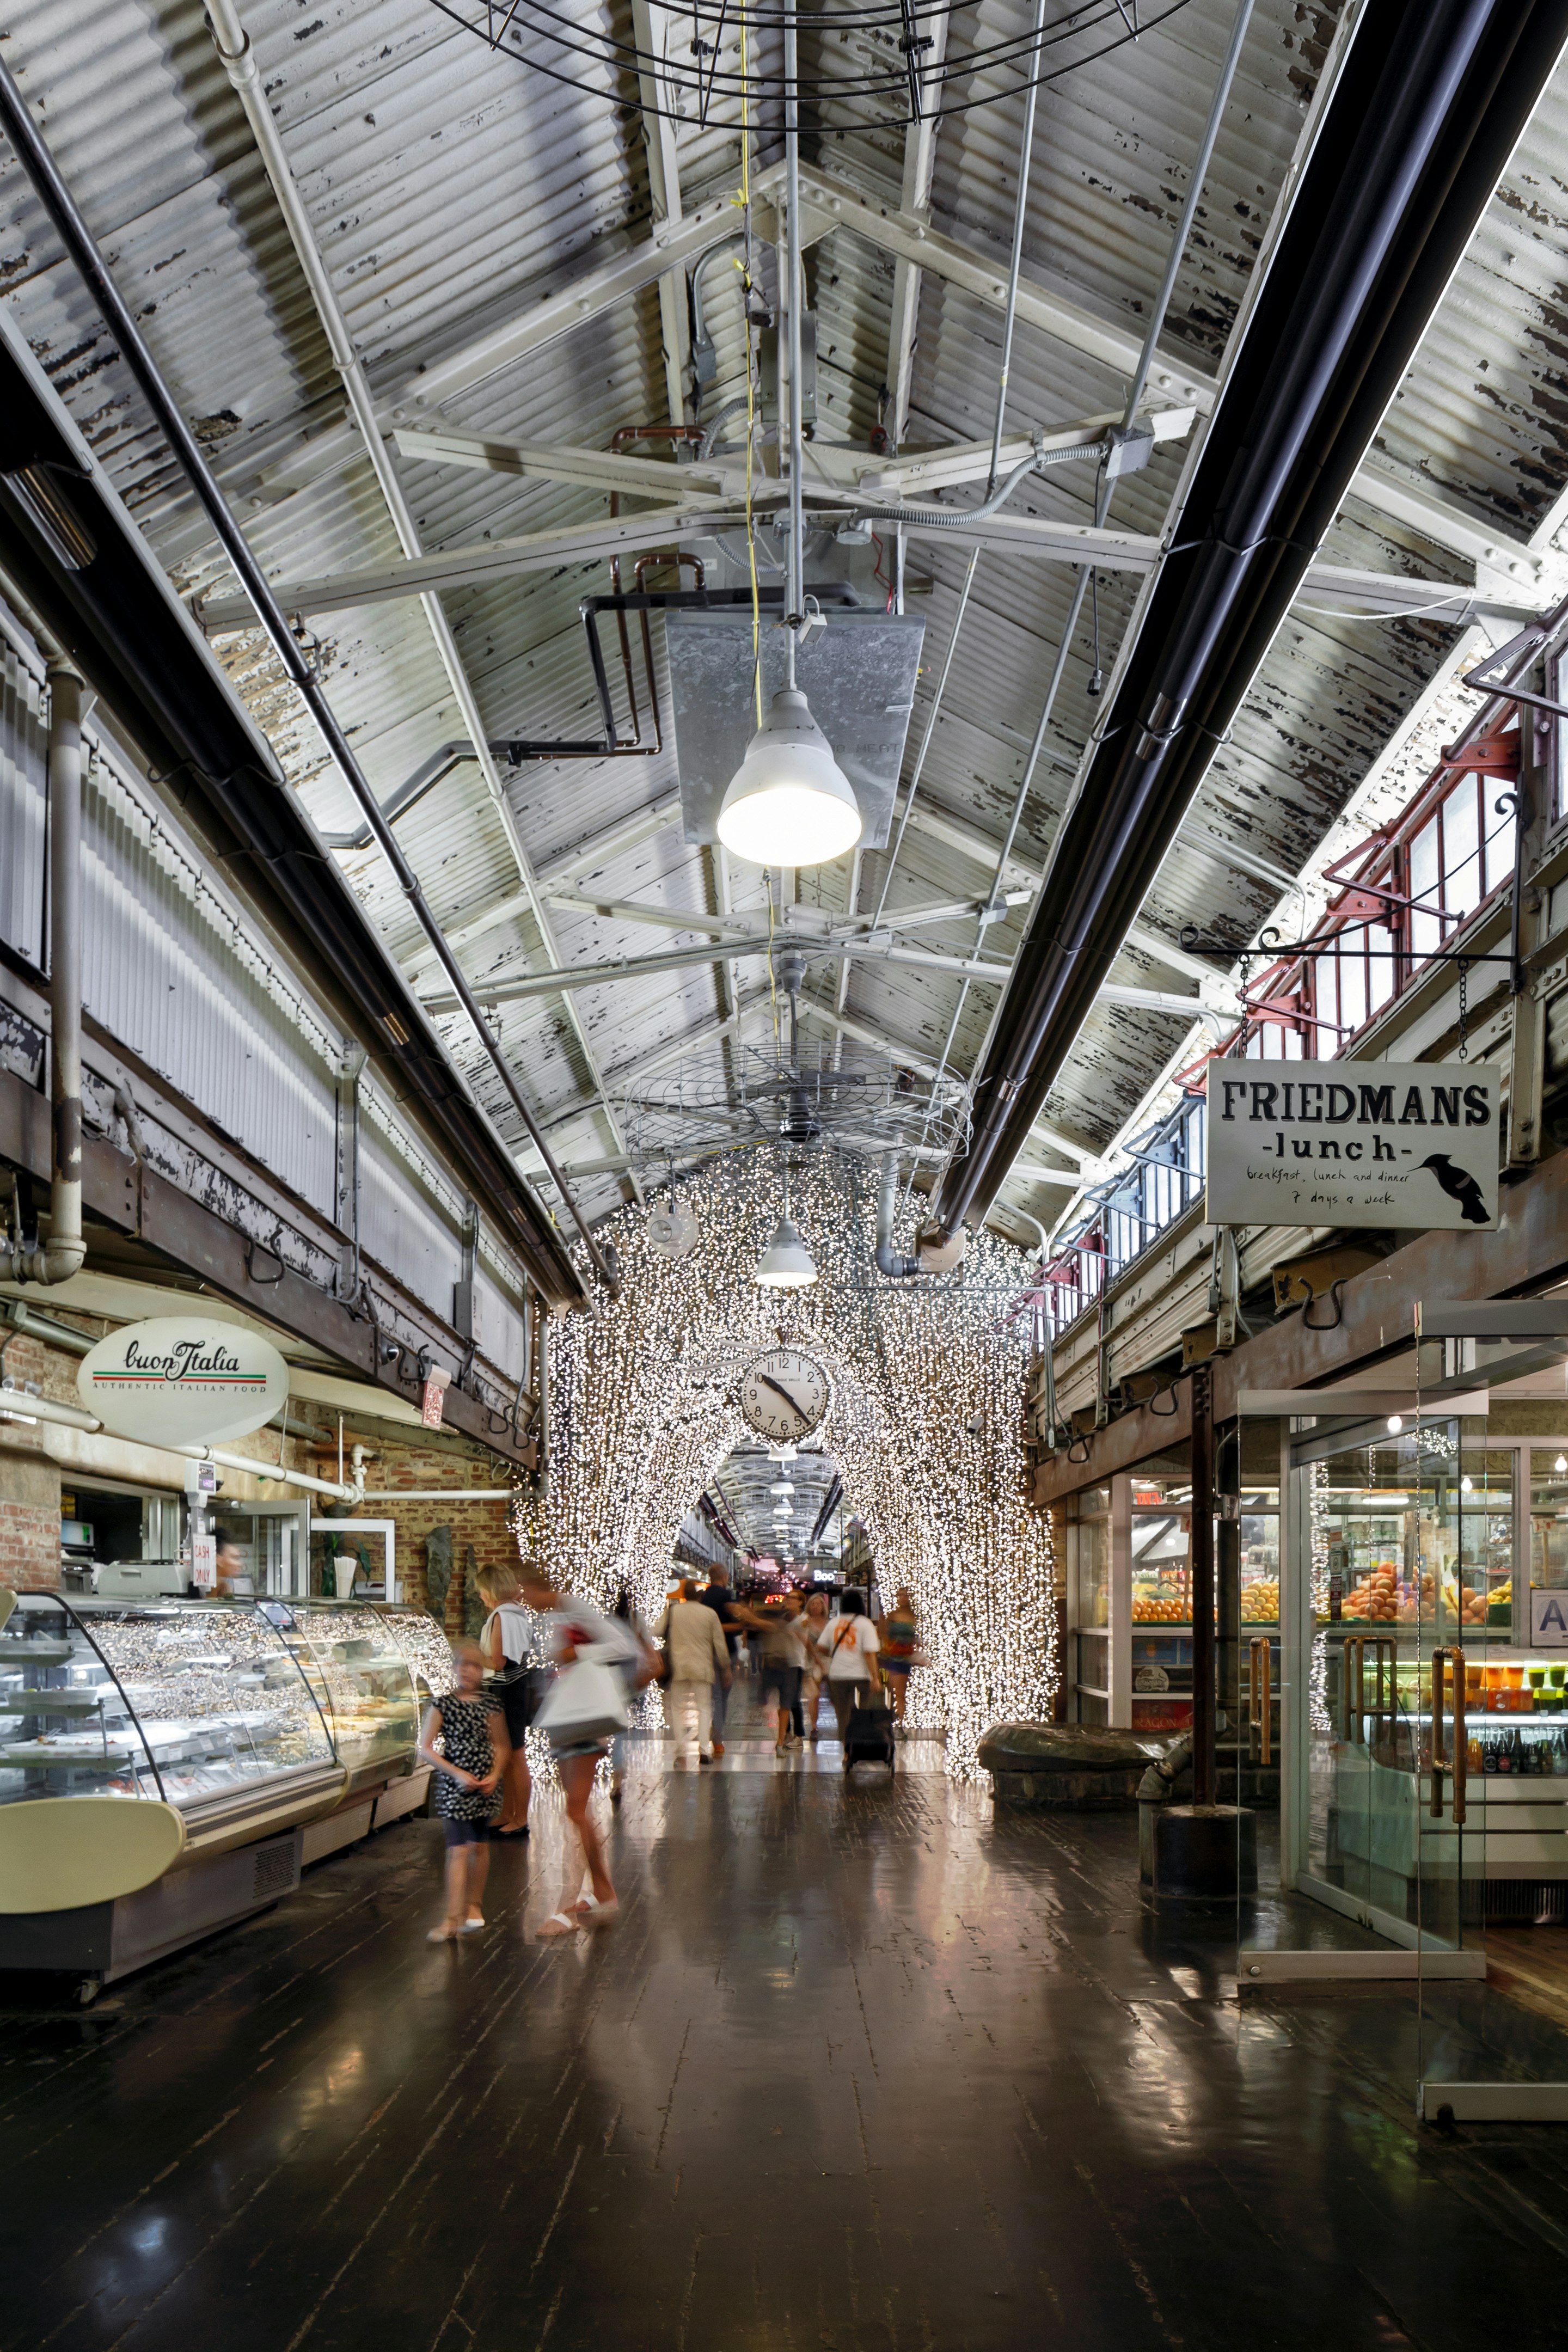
(1353, 1144)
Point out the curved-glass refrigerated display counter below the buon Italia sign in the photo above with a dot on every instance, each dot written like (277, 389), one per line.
(267, 1732)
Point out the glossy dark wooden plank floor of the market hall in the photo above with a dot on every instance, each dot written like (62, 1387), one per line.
(862, 2069)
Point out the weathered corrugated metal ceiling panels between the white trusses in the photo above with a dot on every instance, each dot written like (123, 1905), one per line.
(453, 187)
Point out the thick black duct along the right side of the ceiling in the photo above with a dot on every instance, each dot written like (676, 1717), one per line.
(1414, 142)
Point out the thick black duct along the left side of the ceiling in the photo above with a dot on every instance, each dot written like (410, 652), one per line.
(83, 570)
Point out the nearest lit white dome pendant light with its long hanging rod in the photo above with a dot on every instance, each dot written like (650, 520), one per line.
(791, 803)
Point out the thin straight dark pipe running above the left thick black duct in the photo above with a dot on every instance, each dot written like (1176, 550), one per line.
(93, 269)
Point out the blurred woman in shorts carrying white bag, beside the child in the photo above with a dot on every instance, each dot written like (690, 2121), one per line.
(582, 1713)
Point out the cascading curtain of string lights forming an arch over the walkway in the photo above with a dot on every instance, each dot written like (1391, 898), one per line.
(925, 1426)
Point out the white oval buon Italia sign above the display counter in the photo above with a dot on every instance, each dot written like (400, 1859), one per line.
(182, 1382)
